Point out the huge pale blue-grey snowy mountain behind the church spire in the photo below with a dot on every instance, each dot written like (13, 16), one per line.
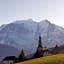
(24, 34)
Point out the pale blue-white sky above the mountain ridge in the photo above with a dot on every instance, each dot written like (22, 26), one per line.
(12, 10)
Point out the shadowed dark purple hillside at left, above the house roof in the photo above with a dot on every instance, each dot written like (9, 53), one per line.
(6, 50)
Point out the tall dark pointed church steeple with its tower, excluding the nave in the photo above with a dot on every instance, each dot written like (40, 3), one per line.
(39, 51)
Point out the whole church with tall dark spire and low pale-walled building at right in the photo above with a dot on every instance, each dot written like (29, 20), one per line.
(40, 52)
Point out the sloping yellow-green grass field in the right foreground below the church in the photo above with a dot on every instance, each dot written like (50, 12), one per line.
(52, 59)
